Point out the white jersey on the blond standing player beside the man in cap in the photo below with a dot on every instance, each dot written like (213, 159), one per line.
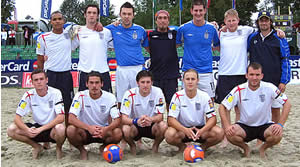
(233, 51)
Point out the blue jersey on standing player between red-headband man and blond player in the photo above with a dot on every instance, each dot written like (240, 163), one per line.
(197, 46)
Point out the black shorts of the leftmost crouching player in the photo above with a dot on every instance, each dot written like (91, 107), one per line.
(44, 136)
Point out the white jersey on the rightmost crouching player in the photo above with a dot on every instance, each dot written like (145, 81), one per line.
(254, 106)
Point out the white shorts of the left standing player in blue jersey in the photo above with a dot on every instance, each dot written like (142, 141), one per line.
(126, 79)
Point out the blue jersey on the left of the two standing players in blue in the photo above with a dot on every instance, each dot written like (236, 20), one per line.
(128, 44)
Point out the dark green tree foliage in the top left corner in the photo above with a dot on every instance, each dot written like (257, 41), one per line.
(7, 6)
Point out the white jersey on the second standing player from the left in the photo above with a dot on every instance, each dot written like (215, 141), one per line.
(93, 49)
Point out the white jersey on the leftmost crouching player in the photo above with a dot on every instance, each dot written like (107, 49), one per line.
(44, 109)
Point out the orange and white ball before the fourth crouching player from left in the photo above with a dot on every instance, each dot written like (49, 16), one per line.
(193, 153)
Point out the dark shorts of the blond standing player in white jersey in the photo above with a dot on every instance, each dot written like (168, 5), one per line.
(225, 84)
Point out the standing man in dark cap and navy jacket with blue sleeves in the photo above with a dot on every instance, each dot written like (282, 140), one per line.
(273, 53)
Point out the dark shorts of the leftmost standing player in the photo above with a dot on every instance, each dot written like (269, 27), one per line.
(64, 82)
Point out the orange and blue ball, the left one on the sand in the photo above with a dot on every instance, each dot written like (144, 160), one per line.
(112, 153)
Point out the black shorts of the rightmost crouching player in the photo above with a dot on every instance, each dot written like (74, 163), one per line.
(254, 132)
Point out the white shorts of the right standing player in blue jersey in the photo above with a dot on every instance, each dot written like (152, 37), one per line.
(206, 83)
